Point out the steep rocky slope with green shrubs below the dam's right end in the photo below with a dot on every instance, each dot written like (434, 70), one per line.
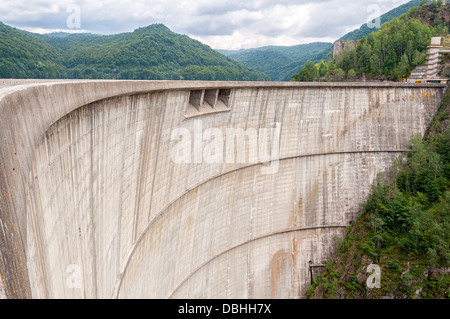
(404, 228)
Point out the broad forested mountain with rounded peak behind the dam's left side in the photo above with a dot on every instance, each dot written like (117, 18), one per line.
(153, 52)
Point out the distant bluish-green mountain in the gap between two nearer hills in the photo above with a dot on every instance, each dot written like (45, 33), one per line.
(279, 62)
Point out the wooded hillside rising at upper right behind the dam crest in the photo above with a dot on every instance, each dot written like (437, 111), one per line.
(389, 54)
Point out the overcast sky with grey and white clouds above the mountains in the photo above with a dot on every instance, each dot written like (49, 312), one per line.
(232, 24)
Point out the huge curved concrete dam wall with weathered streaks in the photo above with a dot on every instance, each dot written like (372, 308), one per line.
(105, 194)
